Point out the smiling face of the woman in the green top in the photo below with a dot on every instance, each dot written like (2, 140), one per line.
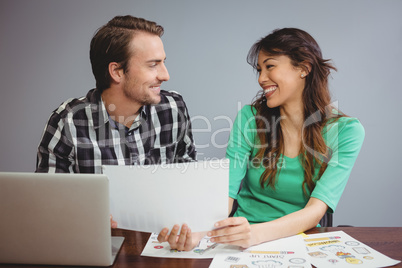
(282, 82)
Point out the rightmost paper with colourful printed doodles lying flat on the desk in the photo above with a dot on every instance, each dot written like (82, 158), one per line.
(338, 249)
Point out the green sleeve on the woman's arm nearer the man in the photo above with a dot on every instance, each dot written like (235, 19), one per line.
(240, 147)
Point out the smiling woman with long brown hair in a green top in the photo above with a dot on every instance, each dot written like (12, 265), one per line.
(291, 150)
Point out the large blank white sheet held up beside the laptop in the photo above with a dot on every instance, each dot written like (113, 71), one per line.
(149, 198)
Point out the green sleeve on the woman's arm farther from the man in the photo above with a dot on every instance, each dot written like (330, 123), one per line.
(345, 138)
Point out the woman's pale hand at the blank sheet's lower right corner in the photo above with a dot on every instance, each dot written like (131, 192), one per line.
(233, 231)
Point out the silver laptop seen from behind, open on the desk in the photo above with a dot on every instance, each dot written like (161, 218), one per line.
(56, 219)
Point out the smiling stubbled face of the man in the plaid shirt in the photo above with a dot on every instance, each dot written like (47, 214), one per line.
(146, 70)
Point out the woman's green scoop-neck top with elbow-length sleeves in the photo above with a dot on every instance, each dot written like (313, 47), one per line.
(343, 136)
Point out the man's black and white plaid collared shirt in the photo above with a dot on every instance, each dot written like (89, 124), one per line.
(80, 137)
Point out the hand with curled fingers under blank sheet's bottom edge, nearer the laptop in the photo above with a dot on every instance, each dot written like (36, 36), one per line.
(183, 241)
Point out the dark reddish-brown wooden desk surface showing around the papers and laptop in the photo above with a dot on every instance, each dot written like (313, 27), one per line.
(387, 240)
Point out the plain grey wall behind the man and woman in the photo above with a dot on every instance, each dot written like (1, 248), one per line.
(44, 47)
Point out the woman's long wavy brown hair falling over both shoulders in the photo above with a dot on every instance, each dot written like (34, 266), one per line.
(304, 52)
